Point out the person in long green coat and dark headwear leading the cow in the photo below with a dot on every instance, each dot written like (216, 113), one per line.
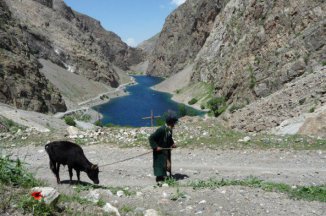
(159, 141)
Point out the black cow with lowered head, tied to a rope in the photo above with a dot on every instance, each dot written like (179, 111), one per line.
(71, 154)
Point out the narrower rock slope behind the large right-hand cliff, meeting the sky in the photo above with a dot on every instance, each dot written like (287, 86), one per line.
(183, 35)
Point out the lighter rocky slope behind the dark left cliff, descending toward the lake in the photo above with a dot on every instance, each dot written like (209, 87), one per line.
(72, 40)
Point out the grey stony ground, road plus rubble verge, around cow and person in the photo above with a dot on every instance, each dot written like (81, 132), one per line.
(206, 153)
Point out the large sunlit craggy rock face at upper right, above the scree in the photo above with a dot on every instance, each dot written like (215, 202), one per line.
(256, 47)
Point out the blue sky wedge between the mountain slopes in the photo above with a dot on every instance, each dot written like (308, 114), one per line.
(133, 20)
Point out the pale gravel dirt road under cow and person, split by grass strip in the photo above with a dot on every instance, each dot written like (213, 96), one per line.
(290, 167)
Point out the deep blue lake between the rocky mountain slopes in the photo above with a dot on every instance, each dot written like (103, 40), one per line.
(131, 109)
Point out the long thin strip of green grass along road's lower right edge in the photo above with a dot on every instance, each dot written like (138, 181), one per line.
(309, 193)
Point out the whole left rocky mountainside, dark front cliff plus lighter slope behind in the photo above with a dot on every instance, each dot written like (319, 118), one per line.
(47, 29)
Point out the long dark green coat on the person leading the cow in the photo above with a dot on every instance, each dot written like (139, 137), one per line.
(162, 137)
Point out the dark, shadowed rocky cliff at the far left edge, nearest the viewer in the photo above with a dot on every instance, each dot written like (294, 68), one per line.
(21, 83)
